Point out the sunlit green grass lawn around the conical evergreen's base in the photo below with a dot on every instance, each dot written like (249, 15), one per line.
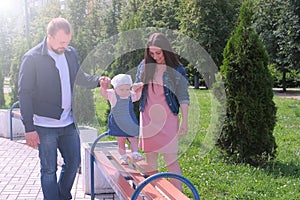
(216, 179)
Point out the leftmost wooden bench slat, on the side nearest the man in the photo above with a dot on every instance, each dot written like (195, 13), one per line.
(122, 188)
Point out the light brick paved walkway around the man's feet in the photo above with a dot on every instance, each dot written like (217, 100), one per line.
(20, 176)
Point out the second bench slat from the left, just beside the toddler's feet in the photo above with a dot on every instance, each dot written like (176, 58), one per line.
(149, 191)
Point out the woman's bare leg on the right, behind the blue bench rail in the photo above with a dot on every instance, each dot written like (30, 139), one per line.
(171, 161)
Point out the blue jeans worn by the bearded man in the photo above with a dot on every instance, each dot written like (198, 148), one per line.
(67, 140)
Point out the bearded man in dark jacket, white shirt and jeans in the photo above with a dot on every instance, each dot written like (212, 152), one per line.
(46, 81)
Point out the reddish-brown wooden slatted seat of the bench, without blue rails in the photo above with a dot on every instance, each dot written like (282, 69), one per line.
(125, 178)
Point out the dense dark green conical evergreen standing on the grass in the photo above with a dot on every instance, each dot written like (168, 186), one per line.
(247, 134)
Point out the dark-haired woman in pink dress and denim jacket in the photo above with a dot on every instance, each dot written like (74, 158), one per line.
(165, 91)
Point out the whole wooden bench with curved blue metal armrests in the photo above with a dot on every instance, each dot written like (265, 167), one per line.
(129, 181)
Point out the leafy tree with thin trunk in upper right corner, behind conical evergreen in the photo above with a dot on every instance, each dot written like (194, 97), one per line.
(278, 23)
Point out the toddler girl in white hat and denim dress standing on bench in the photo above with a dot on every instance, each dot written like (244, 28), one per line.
(122, 121)
